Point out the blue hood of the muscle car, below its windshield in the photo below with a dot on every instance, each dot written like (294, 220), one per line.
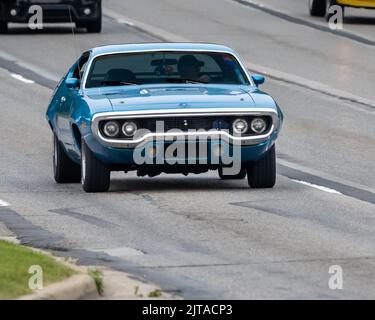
(177, 97)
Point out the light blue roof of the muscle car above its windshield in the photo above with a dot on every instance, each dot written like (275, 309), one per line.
(109, 49)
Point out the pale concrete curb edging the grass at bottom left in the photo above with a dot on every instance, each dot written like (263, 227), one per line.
(74, 288)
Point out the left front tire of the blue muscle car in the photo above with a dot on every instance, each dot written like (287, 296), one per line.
(96, 175)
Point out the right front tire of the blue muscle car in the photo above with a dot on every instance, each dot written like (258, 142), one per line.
(262, 174)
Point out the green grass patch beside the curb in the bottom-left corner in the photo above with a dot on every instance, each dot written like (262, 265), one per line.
(15, 261)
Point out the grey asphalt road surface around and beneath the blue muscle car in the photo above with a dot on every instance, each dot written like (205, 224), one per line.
(198, 236)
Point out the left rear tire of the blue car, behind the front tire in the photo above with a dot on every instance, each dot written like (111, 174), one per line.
(64, 169)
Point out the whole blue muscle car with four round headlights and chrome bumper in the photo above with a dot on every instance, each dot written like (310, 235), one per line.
(162, 108)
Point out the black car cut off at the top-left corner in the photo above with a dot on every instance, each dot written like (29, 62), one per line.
(85, 13)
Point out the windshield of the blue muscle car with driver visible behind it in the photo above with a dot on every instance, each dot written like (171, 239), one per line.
(165, 67)
